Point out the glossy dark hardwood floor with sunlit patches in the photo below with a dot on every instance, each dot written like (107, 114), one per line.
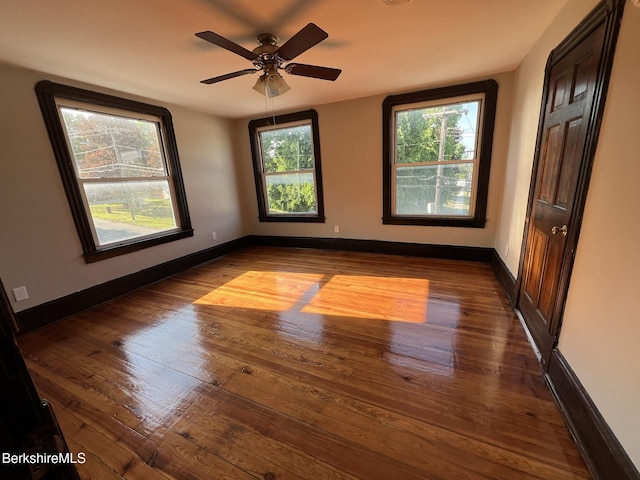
(274, 363)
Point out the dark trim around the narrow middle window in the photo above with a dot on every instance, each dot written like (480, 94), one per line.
(257, 166)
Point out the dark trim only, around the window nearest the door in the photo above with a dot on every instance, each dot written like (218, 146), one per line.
(490, 89)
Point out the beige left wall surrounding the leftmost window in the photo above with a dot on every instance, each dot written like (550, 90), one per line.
(40, 246)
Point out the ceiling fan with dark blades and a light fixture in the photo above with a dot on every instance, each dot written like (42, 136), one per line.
(268, 58)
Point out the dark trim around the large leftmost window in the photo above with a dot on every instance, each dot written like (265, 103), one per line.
(47, 93)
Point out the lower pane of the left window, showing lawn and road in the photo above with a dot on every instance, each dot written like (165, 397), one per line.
(126, 210)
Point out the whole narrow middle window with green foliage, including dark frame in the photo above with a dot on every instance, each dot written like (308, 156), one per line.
(286, 162)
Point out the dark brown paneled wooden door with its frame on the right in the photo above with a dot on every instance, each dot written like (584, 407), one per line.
(576, 78)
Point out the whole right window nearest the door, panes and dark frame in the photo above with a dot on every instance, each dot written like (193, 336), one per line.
(437, 154)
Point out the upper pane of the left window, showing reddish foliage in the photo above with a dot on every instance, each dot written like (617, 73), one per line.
(108, 146)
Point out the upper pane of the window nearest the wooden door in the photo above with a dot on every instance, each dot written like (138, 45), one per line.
(445, 132)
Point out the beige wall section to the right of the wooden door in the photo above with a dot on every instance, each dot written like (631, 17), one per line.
(601, 329)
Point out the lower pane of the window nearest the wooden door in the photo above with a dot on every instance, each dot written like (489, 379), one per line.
(434, 189)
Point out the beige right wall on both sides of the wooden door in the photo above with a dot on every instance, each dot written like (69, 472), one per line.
(601, 330)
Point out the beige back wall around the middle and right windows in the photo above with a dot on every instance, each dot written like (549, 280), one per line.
(351, 144)
